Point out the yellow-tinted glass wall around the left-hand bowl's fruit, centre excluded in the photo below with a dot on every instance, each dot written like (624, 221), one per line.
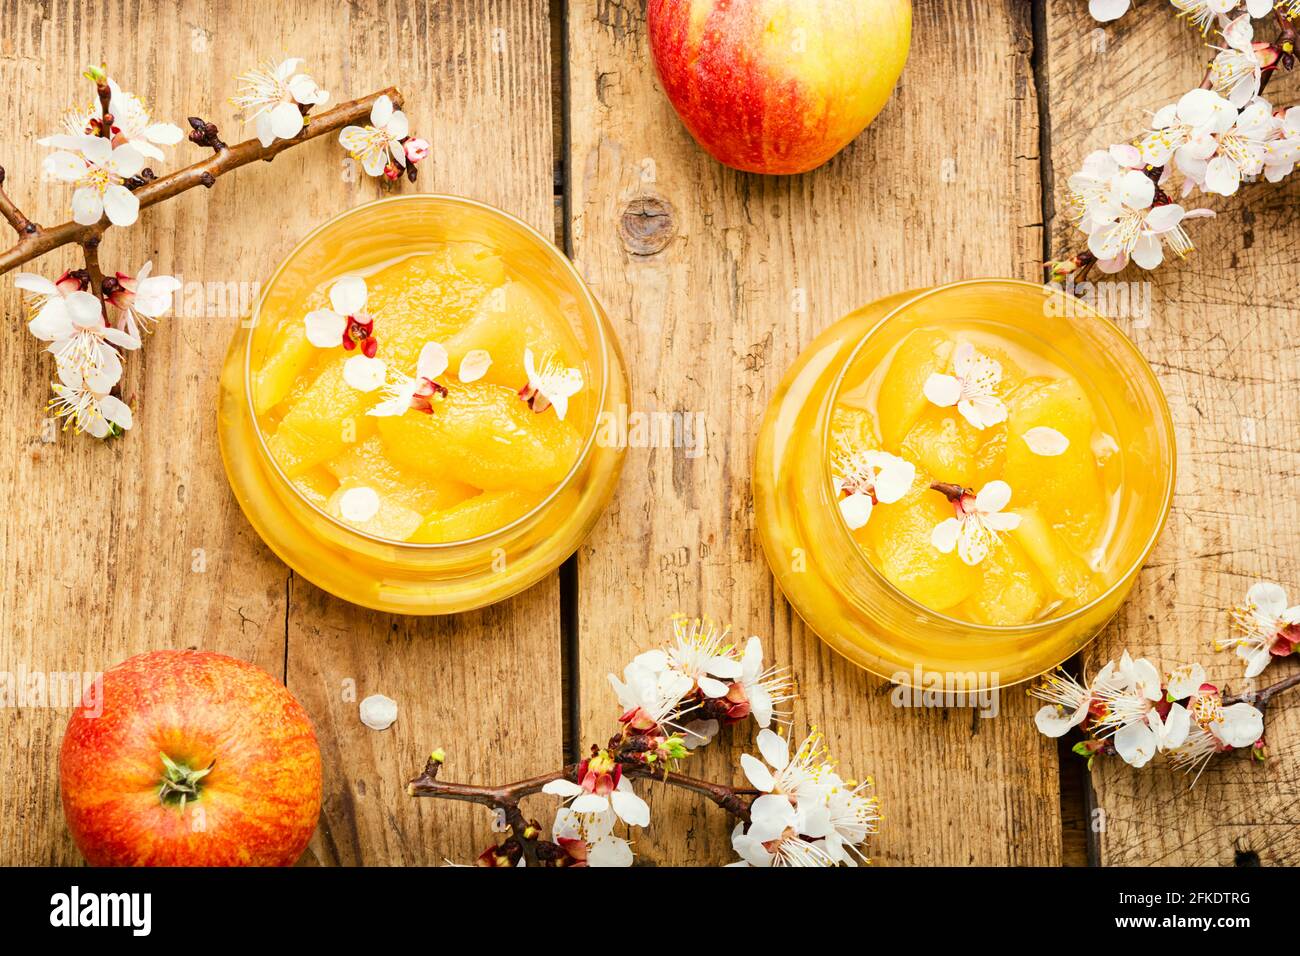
(395, 576)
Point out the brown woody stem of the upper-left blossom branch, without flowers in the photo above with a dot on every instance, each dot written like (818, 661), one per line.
(38, 241)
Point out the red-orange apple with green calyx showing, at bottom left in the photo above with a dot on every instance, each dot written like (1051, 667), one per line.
(190, 759)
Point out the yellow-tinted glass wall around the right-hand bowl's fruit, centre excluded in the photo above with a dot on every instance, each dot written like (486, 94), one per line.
(825, 573)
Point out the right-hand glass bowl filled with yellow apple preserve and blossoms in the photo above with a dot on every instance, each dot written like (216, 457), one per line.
(964, 483)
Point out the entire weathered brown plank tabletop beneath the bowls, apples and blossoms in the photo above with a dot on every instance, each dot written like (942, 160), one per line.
(553, 113)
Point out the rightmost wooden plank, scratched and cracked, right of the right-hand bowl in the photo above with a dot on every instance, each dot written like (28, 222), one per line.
(1221, 339)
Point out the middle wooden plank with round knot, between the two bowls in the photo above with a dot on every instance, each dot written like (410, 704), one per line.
(941, 188)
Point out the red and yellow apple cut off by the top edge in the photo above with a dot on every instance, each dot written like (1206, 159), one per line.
(778, 86)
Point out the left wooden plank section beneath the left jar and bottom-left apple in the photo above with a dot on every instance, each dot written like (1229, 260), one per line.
(99, 553)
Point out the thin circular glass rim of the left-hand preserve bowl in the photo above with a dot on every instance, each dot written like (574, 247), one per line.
(590, 308)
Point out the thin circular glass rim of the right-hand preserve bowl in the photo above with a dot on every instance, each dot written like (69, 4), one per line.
(1167, 422)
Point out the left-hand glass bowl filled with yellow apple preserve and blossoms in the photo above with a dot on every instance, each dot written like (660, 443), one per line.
(410, 417)
